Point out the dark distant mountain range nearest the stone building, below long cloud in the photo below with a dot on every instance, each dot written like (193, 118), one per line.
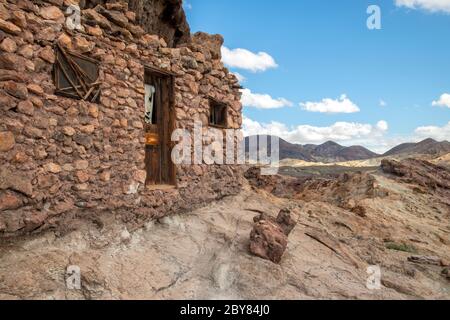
(327, 152)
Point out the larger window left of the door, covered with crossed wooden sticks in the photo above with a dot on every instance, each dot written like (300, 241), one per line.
(76, 76)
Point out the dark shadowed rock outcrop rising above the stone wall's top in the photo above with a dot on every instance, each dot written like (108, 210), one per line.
(163, 17)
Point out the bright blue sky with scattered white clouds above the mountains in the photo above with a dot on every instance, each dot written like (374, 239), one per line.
(314, 71)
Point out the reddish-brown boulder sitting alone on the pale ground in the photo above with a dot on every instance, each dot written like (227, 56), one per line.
(269, 237)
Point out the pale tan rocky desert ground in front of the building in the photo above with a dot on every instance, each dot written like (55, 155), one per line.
(395, 217)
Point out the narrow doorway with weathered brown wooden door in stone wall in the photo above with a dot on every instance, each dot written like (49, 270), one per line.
(159, 124)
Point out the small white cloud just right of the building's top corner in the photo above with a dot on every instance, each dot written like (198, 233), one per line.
(247, 60)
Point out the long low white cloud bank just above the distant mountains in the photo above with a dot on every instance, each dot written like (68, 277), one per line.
(344, 132)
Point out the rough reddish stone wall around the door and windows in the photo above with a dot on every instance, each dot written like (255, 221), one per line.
(61, 156)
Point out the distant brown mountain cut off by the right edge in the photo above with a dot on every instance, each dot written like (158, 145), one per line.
(428, 146)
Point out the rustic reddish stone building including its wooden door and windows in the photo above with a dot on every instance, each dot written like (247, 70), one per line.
(87, 111)
